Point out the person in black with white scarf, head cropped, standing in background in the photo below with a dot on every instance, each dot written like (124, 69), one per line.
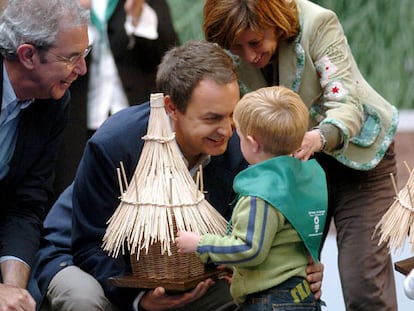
(135, 55)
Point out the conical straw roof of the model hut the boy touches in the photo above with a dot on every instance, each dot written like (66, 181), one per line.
(162, 196)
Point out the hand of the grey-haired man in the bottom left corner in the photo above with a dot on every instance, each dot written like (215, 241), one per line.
(15, 298)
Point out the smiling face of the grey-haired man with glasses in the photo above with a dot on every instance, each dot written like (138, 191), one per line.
(52, 75)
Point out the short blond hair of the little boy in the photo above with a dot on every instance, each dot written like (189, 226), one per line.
(275, 116)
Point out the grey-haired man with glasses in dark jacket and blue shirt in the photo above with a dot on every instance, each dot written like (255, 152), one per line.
(42, 46)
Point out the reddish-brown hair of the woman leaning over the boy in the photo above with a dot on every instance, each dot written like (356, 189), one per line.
(225, 20)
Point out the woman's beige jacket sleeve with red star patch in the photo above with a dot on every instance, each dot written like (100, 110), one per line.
(334, 63)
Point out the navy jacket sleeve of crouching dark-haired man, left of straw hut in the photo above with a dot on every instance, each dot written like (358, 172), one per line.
(96, 197)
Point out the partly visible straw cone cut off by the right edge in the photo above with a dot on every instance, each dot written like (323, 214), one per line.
(397, 223)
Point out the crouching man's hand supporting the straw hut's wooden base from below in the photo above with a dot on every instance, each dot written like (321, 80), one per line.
(158, 300)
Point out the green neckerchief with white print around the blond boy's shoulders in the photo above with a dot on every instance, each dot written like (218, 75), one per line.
(296, 188)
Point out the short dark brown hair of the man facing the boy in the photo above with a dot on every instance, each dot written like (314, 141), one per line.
(183, 67)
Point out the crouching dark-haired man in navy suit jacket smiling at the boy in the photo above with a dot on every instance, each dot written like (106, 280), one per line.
(201, 90)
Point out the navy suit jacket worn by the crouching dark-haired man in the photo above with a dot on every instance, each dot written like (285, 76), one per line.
(96, 196)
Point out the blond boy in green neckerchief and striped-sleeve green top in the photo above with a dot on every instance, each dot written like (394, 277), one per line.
(281, 209)
